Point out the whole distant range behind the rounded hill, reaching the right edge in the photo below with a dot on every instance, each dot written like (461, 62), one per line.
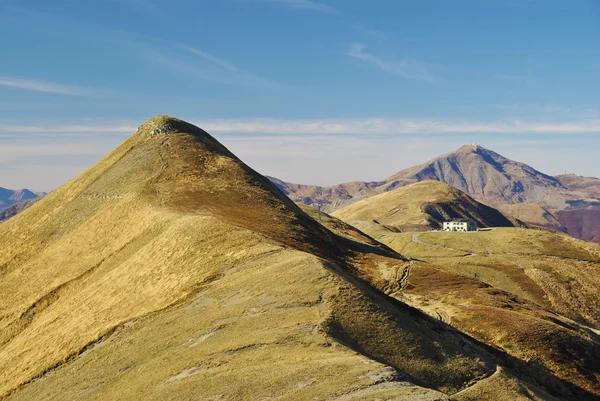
(566, 203)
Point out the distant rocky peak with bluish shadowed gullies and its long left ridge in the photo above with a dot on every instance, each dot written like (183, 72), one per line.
(479, 172)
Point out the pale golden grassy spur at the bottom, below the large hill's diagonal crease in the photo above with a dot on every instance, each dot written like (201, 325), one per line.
(251, 333)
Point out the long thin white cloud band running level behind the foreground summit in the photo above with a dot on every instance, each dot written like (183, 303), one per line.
(355, 127)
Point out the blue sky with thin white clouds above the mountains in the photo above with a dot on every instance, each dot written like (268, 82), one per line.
(309, 91)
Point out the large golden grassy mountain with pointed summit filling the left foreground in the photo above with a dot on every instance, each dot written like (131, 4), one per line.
(171, 270)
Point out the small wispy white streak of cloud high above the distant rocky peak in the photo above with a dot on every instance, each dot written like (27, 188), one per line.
(407, 68)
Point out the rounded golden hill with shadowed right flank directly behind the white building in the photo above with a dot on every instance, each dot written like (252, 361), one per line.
(425, 203)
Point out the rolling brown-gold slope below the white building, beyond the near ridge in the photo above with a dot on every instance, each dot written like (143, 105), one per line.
(532, 293)
